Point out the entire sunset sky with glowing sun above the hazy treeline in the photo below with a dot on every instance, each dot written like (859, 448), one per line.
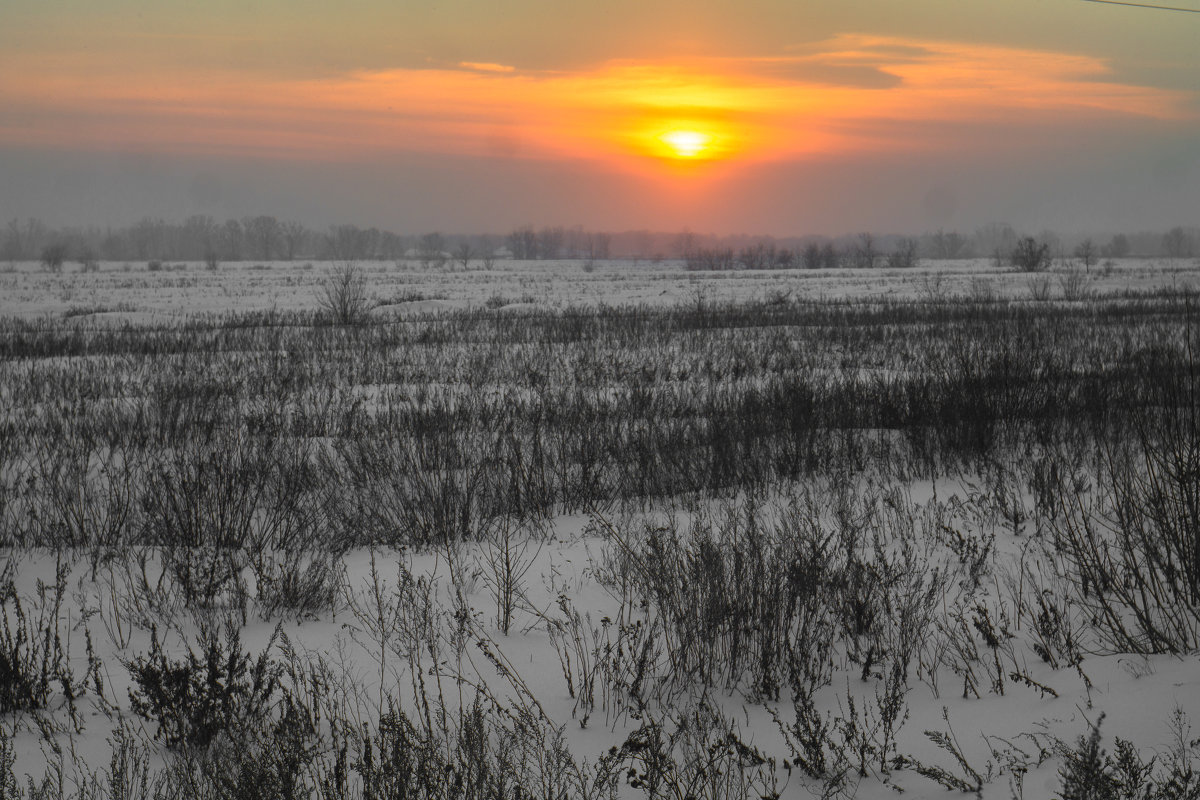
(778, 117)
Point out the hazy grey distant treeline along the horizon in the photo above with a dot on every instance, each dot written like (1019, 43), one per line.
(266, 238)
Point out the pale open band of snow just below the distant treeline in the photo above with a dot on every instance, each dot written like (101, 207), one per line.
(118, 292)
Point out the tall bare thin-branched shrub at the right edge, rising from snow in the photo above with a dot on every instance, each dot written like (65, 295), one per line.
(1135, 551)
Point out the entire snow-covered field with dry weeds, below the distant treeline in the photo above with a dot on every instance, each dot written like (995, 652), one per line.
(614, 558)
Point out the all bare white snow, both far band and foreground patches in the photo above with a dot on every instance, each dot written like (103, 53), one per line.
(1137, 695)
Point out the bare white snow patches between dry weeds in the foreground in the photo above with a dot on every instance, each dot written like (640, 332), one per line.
(1138, 696)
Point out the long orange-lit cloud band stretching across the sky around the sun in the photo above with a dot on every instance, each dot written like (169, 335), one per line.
(850, 94)
